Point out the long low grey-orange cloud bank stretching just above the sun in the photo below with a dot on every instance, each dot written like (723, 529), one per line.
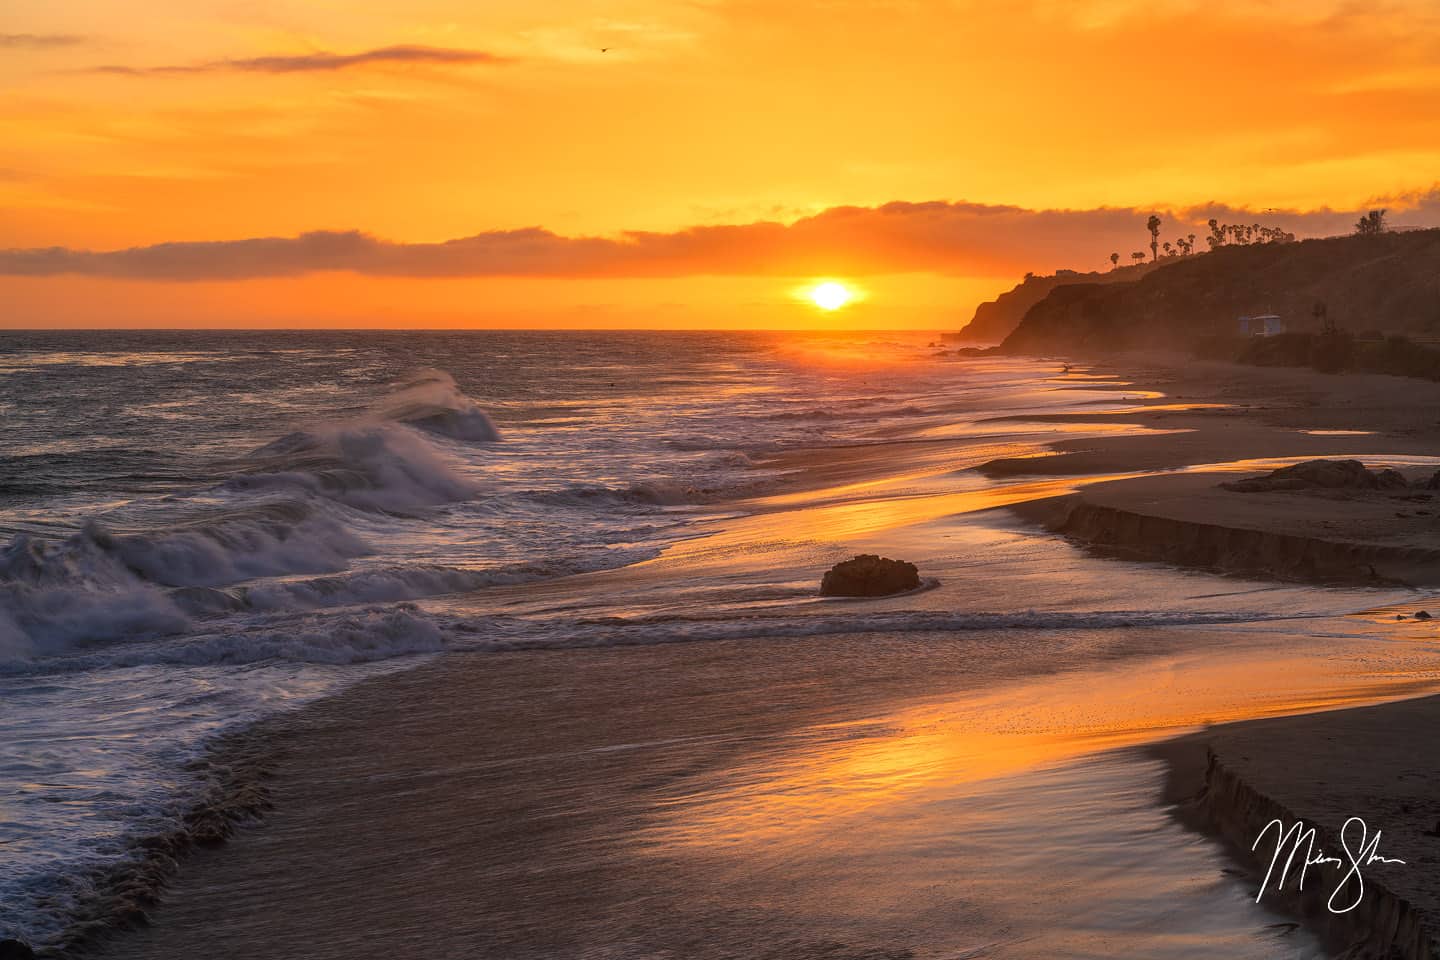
(958, 240)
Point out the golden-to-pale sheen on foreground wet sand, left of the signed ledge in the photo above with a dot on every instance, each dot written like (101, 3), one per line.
(960, 818)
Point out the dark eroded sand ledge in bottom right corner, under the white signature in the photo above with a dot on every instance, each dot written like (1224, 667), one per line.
(1324, 769)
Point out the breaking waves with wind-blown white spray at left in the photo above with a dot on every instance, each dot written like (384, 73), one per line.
(293, 507)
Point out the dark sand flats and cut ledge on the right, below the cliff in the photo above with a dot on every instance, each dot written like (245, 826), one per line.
(1248, 422)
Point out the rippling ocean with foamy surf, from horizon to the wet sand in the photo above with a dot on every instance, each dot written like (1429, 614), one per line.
(204, 529)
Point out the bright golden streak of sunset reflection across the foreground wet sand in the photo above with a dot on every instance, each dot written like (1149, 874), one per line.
(914, 755)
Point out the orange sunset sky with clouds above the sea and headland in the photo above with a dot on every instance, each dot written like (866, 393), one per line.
(672, 163)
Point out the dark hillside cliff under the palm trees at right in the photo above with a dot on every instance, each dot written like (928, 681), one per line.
(1389, 283)
